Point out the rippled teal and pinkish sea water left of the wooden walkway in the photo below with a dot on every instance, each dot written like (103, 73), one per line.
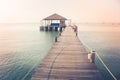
(22, 47)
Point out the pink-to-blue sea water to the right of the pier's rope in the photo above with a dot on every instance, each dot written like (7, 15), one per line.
(105, 40)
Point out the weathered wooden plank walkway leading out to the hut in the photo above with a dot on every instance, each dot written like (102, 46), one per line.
(67, 60)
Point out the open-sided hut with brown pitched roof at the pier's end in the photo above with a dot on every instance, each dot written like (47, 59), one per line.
(53, 22)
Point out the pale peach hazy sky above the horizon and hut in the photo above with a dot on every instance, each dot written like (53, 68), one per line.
(77, 10)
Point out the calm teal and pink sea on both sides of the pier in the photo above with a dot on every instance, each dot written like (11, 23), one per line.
(23, 46)
